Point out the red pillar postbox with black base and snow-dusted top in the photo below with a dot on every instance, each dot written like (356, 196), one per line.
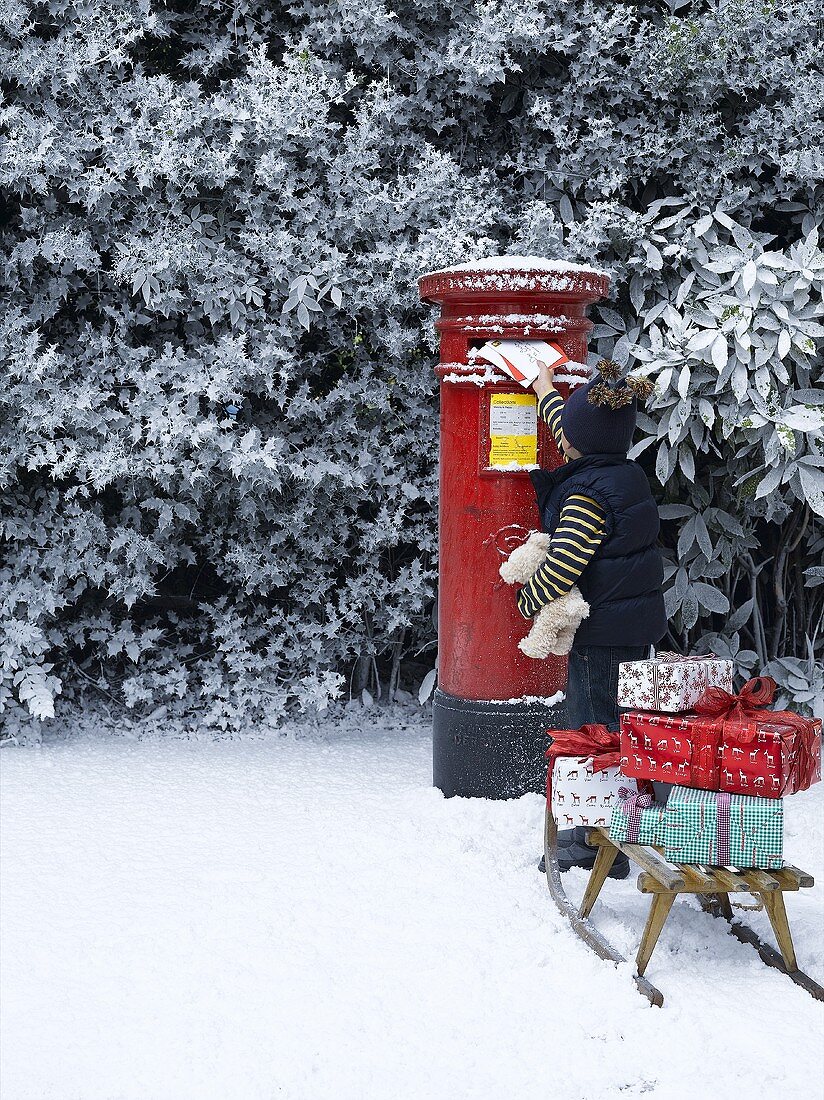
(495, 705)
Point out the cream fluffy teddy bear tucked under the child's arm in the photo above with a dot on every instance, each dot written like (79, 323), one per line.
(555, 625)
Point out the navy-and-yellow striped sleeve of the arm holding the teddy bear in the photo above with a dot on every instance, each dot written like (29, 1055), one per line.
(581, 530)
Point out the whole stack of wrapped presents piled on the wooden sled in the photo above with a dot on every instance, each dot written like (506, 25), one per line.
(727, 763)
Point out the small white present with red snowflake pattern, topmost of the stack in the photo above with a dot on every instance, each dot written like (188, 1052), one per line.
(672, 684)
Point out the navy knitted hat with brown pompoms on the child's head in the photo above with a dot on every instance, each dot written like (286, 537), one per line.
(600, 417)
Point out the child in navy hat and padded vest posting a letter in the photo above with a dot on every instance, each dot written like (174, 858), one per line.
(605, 524)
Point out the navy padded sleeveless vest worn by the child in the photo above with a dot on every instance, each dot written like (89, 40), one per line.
(623, 581)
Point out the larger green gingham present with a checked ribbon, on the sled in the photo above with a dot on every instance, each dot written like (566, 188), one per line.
(724, 830)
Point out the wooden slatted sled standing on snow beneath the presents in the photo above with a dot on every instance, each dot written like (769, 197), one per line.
(665, 883)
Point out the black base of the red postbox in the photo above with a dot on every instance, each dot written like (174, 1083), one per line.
(491, 751)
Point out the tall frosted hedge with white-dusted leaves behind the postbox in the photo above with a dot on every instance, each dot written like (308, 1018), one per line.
(218, 412)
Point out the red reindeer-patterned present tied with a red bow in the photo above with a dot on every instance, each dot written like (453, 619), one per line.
(733, 746)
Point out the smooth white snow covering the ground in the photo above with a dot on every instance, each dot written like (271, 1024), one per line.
(304, 917)
